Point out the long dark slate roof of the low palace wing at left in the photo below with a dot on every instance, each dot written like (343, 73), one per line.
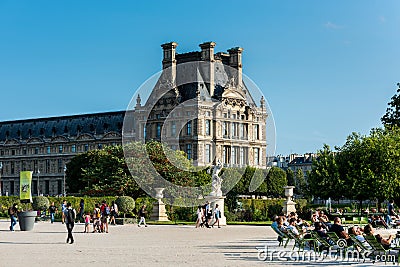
(73, 125)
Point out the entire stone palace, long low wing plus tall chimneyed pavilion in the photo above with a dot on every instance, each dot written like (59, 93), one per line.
(212, 116)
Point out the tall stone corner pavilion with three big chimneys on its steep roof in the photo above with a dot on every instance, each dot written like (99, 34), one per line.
(211, 115)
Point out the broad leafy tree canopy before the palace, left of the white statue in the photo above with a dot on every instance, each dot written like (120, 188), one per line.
(106, 172)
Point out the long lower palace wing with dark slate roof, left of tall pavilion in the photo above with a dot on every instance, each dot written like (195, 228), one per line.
(47, 144)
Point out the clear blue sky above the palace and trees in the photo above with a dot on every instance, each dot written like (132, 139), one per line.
(327, 68)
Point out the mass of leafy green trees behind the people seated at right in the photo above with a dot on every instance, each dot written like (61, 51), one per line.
(365, 167)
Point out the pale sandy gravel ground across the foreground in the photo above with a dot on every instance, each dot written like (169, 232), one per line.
(130, 245)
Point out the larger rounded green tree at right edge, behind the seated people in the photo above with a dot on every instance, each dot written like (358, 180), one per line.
(369, 164)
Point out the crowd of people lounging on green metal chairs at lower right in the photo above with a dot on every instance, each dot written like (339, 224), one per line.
(322, 225)
